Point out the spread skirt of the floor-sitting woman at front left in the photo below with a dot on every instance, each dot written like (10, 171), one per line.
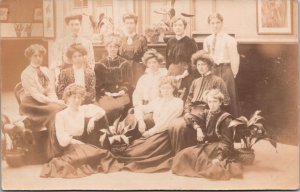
(80, 160)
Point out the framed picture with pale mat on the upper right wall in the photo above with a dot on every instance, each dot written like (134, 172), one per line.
(274, 16)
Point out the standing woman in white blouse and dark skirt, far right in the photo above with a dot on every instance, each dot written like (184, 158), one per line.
(223, 48)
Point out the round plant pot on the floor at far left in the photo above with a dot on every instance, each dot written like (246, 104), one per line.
(15, 158)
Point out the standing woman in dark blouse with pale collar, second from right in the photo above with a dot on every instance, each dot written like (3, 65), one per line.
(179, 51)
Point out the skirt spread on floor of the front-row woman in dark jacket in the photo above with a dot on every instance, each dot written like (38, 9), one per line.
(196, 161)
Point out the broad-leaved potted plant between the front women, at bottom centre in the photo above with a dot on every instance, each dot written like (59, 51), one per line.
(120, 134)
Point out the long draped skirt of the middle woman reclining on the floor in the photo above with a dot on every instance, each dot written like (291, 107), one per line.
(152, 154)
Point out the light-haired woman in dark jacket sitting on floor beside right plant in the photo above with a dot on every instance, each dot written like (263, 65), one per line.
(212, 157)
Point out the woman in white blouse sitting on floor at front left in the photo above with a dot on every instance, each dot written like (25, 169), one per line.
(77, 158)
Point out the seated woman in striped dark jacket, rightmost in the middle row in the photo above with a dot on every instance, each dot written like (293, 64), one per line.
(181, 135)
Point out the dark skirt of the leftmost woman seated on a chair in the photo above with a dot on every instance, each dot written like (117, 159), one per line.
(39, 114)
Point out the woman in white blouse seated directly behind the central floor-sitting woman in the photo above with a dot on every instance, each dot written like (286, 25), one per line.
(147, 86)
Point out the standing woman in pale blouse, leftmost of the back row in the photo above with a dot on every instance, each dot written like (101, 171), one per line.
(60, 58)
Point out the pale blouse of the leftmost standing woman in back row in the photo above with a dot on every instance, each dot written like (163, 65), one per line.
(61, 47)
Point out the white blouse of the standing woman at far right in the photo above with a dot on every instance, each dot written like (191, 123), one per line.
(225, 50)
